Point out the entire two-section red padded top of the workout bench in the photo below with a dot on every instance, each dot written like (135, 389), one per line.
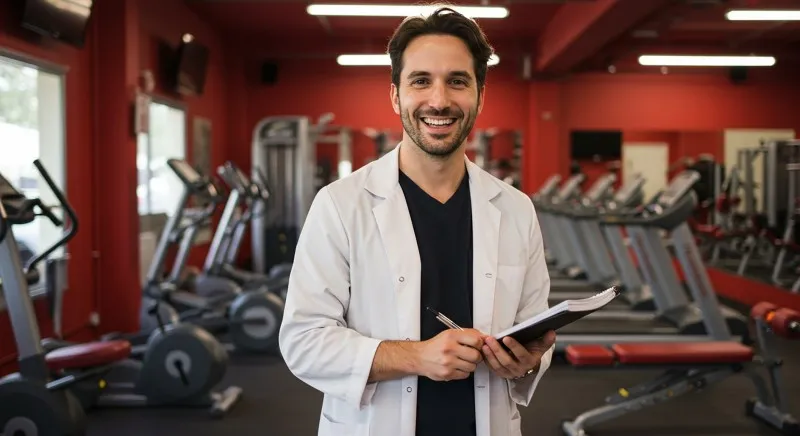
(668, 353)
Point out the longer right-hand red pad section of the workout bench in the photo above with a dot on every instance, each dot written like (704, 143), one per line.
(687, 353)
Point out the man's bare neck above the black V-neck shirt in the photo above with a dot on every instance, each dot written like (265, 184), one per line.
(439, 177)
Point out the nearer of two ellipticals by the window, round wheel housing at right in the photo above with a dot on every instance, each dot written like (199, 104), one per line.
(251, 320)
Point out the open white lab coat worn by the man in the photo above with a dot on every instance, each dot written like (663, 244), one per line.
(356, 281)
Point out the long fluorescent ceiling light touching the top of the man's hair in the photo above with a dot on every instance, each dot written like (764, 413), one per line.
(355, 10)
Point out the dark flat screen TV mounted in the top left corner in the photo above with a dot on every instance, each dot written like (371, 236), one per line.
(63, 20)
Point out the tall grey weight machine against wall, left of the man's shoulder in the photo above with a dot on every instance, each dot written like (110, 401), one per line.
(285, 147)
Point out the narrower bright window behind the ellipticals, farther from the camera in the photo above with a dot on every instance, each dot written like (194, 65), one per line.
(159, 189)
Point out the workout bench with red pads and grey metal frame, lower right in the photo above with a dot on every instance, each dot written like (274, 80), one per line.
(691, 366)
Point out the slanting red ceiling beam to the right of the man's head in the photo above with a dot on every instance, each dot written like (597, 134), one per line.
(580, 29)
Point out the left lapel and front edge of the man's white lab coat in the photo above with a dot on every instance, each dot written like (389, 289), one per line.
(397, 233)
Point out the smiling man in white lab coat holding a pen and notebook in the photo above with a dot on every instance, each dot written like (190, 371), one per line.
(421, 227)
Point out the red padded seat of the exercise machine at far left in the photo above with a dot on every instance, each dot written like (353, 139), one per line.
(87, 355)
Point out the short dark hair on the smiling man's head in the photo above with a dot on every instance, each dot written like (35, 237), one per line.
(443, 21)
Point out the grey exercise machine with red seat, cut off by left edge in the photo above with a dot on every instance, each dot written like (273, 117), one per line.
(32, 401)
